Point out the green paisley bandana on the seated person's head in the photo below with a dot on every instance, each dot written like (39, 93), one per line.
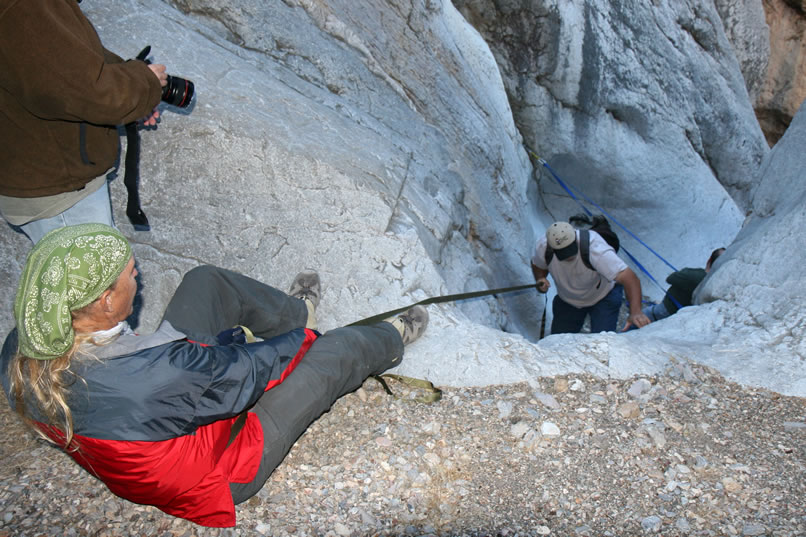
(66, 270)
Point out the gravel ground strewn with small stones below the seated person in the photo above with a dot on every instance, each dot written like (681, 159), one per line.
(687, 453)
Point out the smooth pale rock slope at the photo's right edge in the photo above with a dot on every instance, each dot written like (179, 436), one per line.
(762, 274)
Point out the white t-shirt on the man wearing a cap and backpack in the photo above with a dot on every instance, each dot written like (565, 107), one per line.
(576, 283)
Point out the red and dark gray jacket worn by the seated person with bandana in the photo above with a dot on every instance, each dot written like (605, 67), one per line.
(158, 421)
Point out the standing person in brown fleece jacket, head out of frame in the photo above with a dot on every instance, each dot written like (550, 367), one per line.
(61, 96)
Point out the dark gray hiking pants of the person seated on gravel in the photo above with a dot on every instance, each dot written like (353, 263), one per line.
(210, 300)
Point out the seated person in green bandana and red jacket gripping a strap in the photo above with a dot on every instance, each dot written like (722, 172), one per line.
(156, 417)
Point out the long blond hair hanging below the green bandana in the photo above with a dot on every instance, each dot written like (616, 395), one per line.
(48, 382)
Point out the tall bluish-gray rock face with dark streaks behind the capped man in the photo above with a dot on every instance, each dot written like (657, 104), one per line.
(634, 103)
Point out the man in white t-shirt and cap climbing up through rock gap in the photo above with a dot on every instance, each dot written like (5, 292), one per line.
(582, 291)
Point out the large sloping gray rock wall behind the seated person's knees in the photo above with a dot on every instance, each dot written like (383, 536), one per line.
(371, 141)
